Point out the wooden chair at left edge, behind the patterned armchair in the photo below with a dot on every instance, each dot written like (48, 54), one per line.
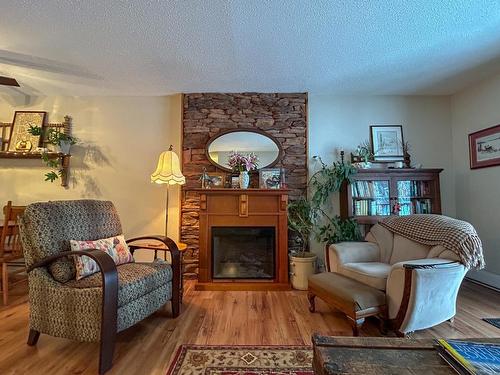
(11, 251)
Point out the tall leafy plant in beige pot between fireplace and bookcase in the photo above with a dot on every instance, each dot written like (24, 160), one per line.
(308, 217)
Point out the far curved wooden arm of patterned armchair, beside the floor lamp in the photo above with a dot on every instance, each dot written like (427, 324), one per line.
(171, 247)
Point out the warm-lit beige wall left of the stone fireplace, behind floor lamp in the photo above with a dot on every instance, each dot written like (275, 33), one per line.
(120, 140)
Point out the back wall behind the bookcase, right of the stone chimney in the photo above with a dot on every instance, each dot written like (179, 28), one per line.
(345, 121)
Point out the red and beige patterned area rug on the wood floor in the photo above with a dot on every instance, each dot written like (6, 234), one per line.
(242, 360)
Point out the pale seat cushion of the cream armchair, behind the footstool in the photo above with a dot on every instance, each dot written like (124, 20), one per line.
(373, 274)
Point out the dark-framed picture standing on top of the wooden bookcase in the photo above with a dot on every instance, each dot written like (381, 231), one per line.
(387, 142)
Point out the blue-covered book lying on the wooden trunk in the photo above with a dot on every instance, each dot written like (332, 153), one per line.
(469, 357)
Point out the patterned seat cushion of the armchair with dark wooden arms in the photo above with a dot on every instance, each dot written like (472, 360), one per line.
(134, 280)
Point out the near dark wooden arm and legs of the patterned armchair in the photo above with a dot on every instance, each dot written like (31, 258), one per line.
(109, 312)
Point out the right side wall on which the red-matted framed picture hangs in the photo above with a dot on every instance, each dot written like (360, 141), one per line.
(478, 199)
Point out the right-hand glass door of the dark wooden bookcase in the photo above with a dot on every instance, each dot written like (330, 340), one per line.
(414, 197)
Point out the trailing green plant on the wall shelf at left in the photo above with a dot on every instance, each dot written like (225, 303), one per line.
(62, 143)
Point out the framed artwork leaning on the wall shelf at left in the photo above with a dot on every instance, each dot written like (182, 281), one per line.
(20, 139)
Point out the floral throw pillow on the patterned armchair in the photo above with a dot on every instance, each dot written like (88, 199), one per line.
(116, 247)
